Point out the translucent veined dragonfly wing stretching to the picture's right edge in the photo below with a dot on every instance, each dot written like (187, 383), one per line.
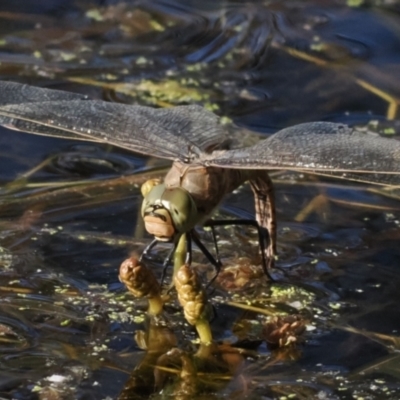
(324, 148)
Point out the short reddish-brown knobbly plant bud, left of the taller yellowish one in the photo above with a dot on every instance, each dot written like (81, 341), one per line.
(138, 279)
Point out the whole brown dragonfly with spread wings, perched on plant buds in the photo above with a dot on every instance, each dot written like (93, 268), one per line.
(204, 169)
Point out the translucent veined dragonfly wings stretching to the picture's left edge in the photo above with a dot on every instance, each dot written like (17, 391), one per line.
(179, 132)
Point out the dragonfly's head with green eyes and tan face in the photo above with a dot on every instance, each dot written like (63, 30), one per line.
(168, 212)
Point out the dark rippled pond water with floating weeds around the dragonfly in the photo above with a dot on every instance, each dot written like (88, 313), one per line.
(67, 324)
